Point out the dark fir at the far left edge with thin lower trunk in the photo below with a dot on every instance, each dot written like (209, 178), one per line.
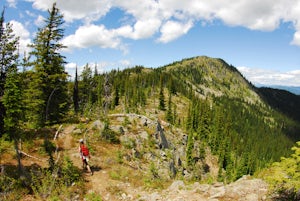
(10, 87)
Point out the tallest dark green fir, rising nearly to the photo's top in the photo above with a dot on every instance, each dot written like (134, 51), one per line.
(49, 69)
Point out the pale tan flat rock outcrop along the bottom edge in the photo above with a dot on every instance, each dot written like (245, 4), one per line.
(244, 189)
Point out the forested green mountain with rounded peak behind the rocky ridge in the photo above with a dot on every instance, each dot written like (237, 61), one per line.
(210, 100)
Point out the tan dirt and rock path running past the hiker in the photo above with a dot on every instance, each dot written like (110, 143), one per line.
(100, 183)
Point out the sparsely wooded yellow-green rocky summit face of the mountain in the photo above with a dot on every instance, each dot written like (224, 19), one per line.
(213, 77)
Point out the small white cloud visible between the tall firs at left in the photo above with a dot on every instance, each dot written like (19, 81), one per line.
(24, 35)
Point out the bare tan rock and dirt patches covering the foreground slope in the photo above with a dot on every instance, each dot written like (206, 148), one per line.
(110, 188)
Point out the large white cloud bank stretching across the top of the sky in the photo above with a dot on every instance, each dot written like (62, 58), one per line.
(166, 17)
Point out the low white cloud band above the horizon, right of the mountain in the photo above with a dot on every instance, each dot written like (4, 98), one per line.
(269, 77)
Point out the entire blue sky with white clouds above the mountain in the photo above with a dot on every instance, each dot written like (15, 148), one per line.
(259, 37)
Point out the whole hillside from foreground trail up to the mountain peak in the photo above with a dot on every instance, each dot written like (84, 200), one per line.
(195, 120)
